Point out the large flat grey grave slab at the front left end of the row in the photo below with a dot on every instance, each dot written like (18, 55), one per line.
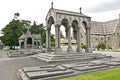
(43, 72)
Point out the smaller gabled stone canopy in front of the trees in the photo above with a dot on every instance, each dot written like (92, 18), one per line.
(30, 41)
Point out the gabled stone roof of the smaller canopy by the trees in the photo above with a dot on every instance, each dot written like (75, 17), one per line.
(28, 34)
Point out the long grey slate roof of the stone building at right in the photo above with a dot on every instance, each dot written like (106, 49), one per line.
(103, 28)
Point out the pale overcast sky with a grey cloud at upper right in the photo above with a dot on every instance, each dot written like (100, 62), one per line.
(99, 10)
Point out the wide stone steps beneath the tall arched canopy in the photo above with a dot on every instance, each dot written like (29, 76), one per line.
(66, 57)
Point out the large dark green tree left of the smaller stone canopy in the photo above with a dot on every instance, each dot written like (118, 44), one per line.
(12, 32)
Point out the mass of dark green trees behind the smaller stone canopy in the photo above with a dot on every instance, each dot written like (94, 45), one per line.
(14, 29)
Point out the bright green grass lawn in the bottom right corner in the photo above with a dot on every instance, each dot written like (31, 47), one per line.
(110, 74)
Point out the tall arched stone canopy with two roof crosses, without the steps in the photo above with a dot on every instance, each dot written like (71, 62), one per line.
(69, 20)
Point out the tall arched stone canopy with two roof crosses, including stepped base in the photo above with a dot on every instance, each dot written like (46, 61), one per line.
(70, 20)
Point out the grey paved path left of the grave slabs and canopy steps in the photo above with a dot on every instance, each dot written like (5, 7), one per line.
(9, 66)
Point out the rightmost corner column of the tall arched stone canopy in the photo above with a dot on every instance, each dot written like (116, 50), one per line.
(88, 41)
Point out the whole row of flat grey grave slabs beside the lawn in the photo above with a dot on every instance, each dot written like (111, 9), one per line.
(51, 72)
